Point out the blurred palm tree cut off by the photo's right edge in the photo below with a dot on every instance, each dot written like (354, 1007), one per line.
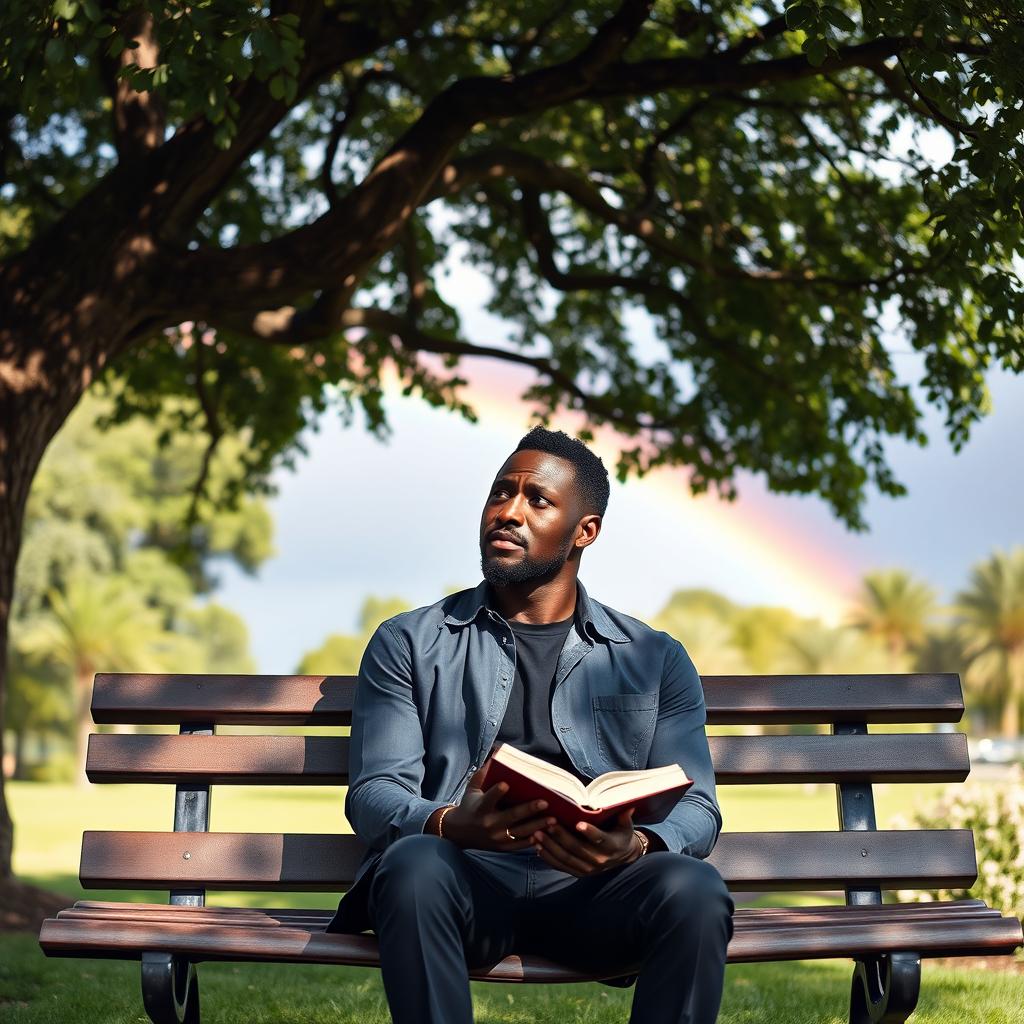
(991, 621)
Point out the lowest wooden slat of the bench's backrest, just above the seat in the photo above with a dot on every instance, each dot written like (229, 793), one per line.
(759, 862)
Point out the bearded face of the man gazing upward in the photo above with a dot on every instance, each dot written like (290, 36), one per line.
(533, 502)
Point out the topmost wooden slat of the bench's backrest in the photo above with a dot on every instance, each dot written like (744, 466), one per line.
(172, 700)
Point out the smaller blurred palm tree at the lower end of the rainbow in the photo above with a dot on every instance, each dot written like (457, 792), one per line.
(897, 609)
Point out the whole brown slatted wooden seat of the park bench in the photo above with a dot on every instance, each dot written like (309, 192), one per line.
(124, 931)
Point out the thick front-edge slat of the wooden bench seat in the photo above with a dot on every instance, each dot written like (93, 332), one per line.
(203, 942)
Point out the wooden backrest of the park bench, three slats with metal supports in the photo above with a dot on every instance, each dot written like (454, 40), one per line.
(858, 858)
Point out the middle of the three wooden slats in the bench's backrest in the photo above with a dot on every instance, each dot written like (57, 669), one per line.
(264, 760)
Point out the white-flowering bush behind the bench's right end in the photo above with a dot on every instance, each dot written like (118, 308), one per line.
(996, 813)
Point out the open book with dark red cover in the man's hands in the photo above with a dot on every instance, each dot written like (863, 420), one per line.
(654, 792)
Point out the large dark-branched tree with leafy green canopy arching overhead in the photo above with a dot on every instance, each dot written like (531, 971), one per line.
(277, 176)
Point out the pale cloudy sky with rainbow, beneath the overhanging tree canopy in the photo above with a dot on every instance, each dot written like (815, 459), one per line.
(359, 517)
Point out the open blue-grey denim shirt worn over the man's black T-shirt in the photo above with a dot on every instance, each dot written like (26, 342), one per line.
(434, 687)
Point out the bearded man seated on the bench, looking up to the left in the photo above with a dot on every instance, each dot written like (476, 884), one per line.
(451, 880)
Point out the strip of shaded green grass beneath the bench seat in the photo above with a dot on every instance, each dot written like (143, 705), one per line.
(35, 990)
